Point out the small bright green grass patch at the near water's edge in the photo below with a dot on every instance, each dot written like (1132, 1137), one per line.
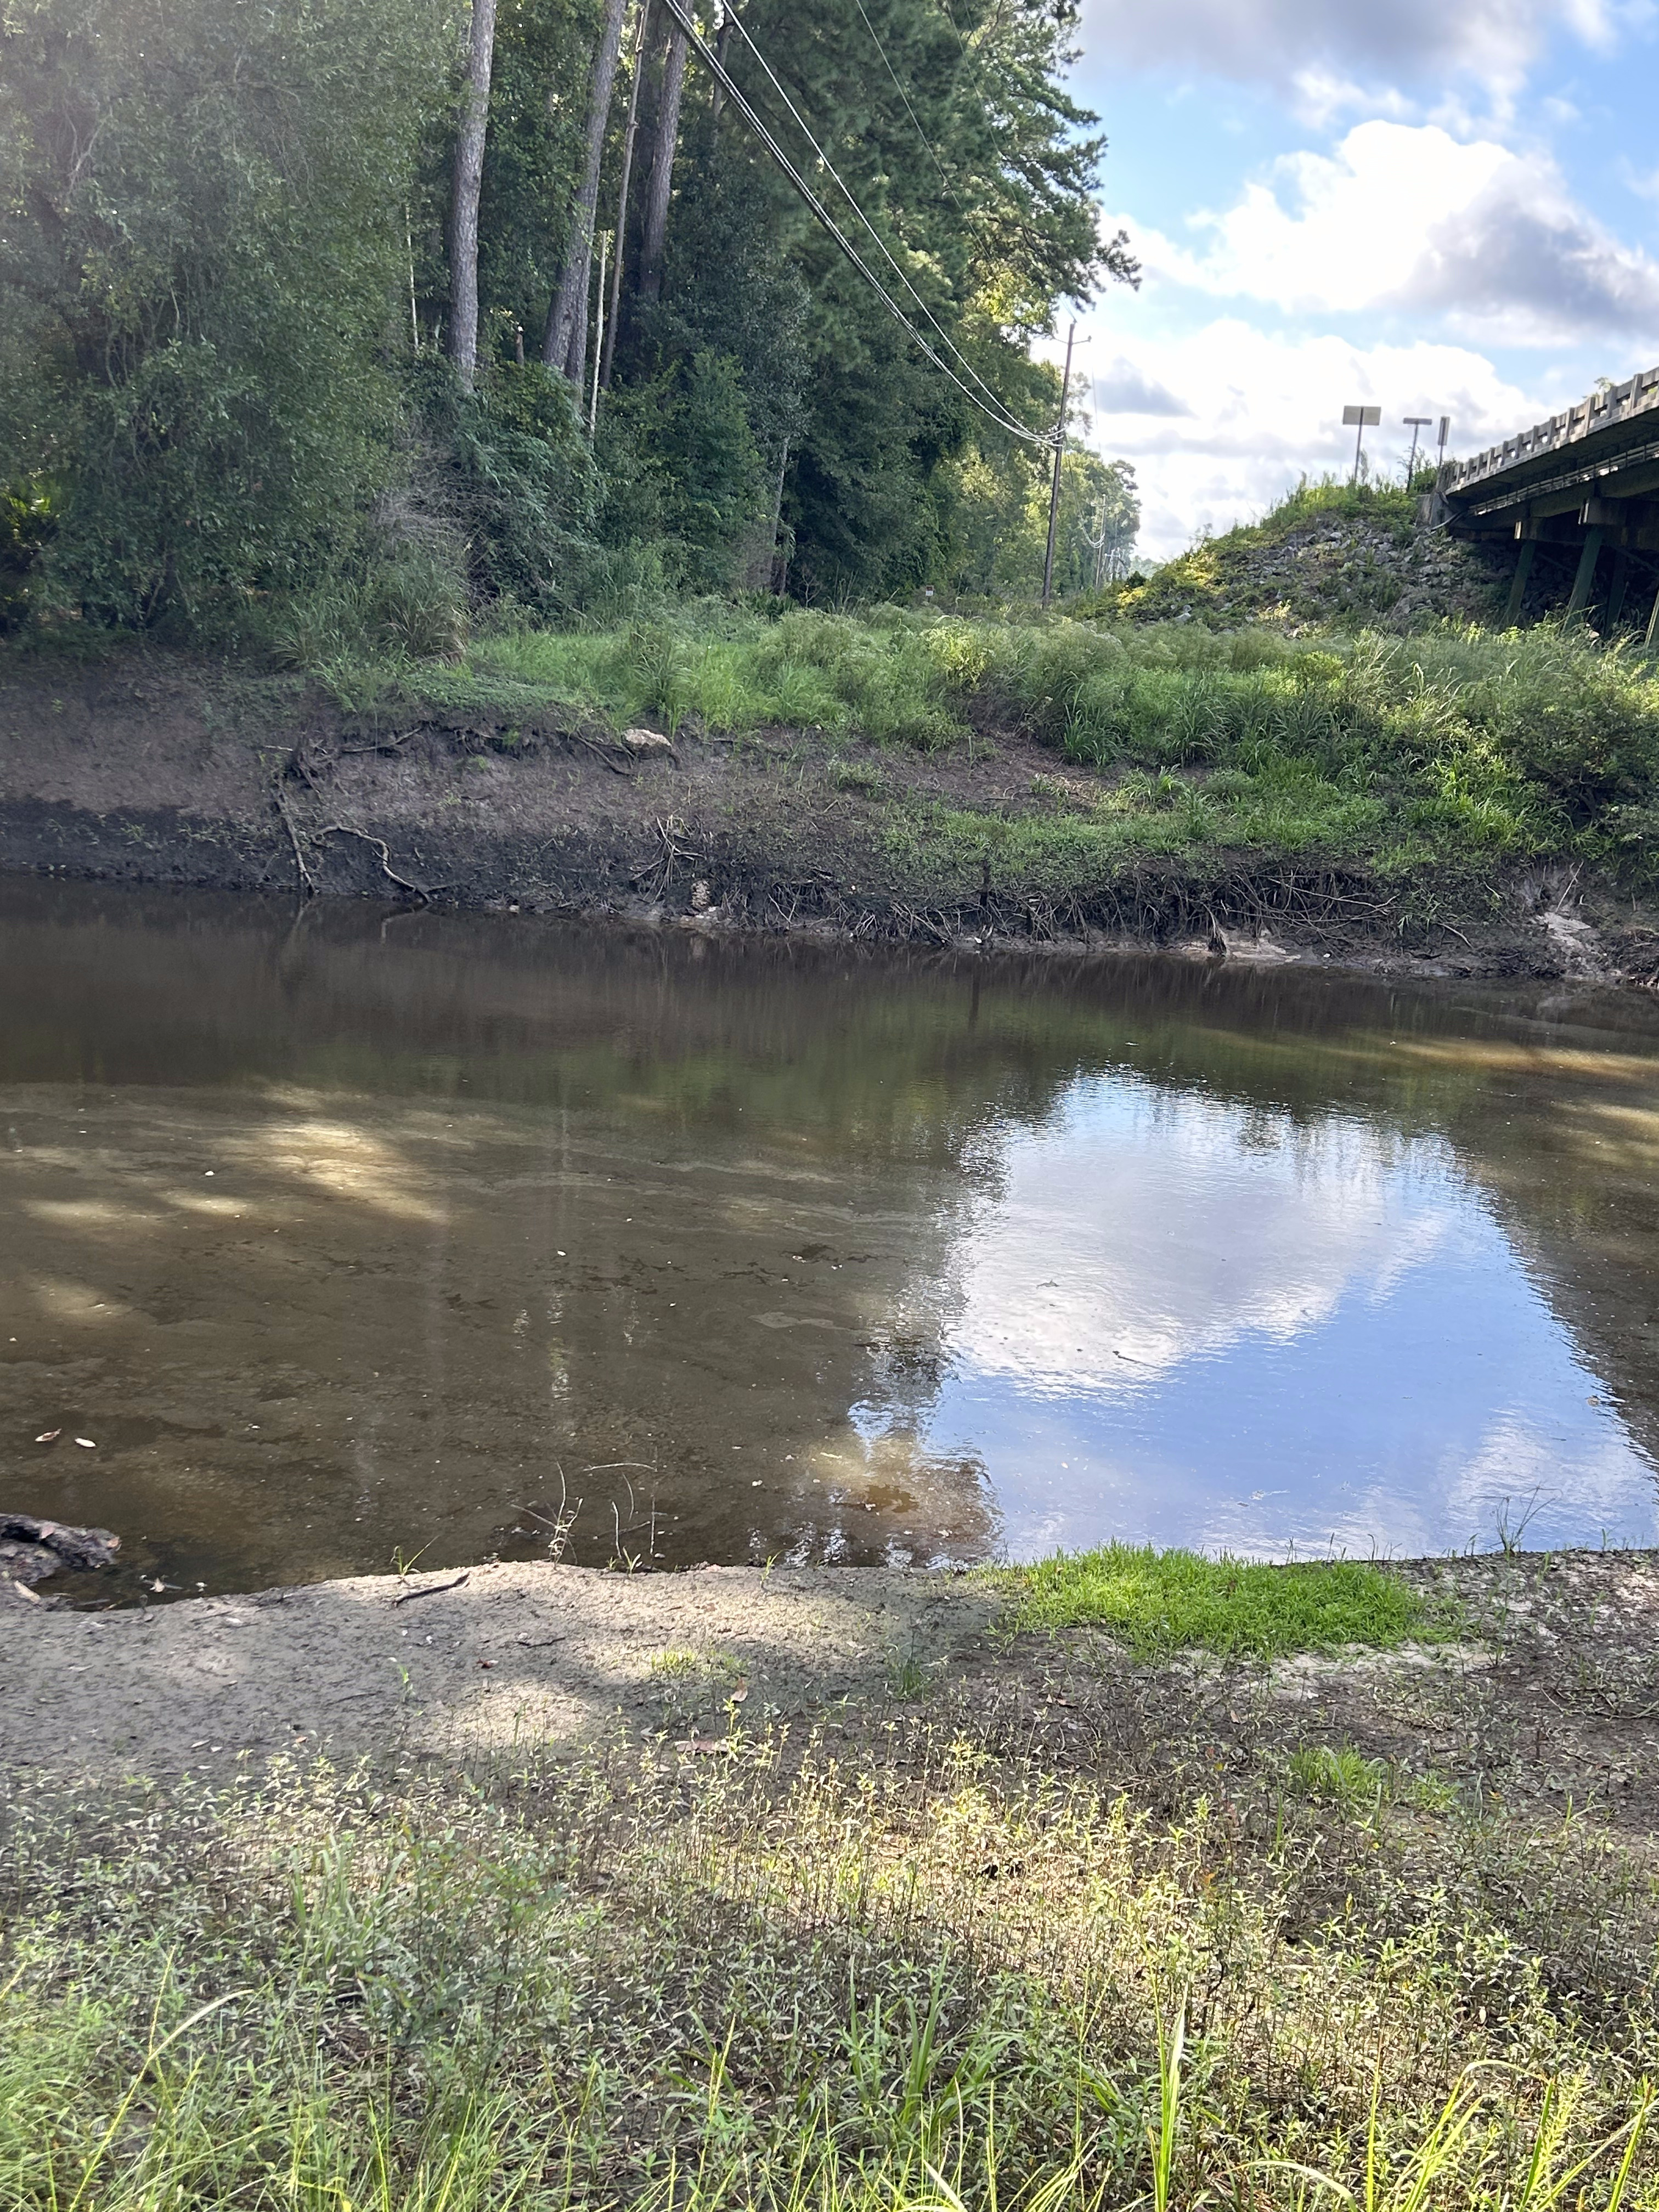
(1162, 1603)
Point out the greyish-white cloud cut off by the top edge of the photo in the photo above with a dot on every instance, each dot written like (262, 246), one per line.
(1324, 45)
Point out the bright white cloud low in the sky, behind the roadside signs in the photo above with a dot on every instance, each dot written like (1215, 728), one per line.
(1255, 410)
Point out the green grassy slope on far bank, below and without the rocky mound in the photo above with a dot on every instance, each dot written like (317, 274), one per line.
(1450, 755)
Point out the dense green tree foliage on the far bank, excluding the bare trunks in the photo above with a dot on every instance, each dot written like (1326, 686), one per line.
(225, 304)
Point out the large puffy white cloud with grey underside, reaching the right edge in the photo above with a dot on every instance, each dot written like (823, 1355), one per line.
(1417, 222)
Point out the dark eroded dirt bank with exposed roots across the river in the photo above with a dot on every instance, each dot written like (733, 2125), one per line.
(154, 769)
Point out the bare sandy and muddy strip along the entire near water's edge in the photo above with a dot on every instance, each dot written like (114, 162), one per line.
(1547, 1698)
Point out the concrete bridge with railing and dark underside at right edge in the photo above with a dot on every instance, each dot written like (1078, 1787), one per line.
(1578, 499)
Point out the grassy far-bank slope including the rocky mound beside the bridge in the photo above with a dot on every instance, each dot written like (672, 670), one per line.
(1410, 778)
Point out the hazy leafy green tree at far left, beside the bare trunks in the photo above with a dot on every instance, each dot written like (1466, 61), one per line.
(198, 260)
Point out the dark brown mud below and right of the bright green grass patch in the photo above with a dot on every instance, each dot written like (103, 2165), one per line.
(1543, 1704)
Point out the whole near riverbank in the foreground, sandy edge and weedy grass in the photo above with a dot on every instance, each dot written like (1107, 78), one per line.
(797, 1910)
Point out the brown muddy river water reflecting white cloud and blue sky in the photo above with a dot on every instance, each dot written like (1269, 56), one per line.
(401, 1235)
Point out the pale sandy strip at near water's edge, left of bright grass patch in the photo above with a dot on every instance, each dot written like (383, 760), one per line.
(461, 1662)
